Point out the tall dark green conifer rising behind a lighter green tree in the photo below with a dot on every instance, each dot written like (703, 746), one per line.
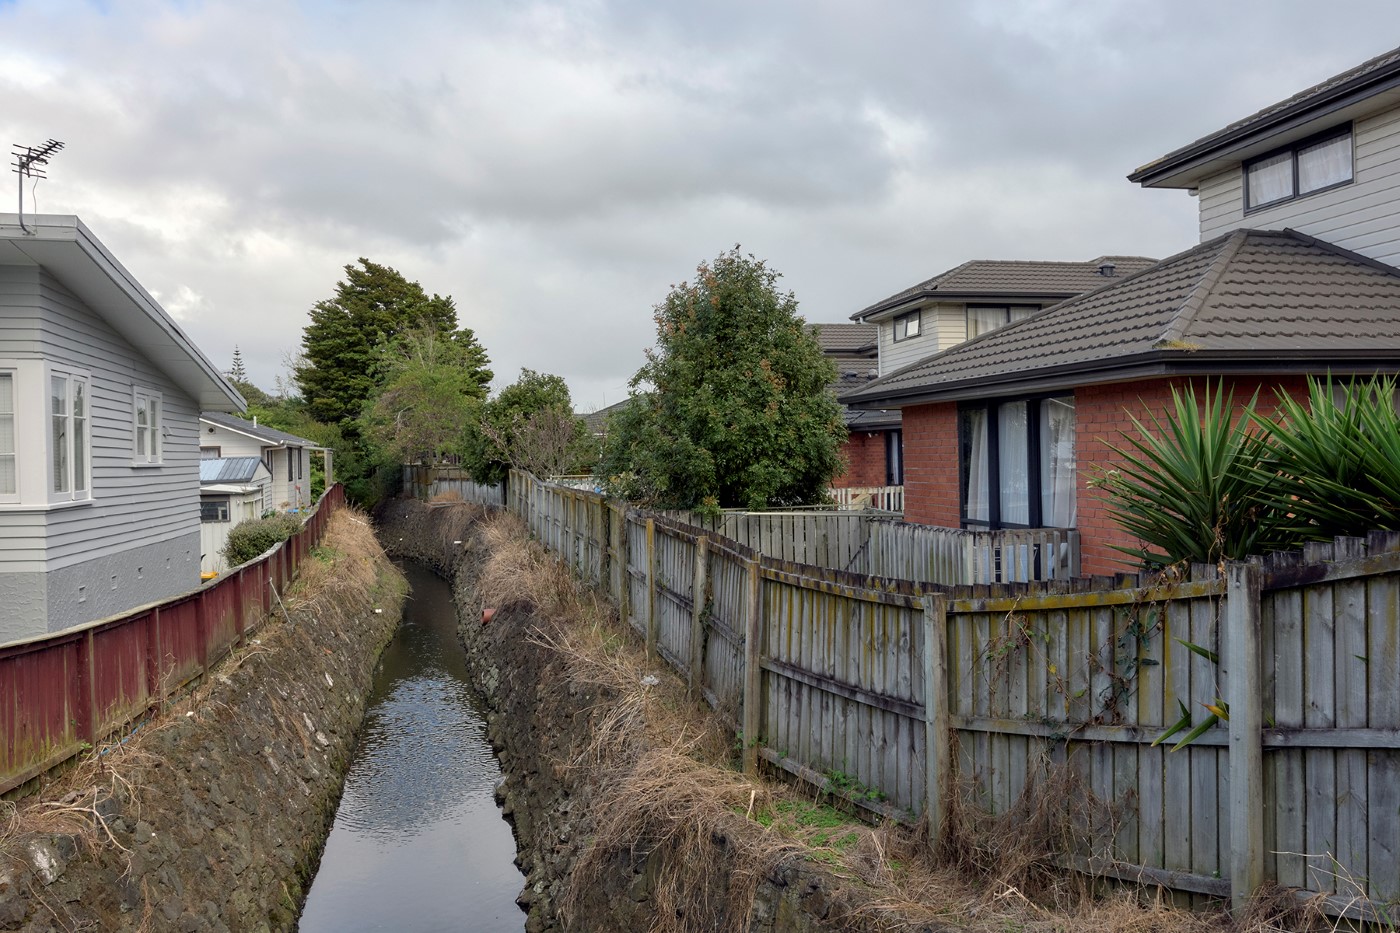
(342, 345)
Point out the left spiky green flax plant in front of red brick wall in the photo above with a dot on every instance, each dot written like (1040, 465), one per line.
(1191, 487)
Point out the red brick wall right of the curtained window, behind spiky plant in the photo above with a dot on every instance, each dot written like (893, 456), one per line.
(1101, 420)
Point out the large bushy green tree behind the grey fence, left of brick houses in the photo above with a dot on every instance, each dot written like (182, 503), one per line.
(738, 411)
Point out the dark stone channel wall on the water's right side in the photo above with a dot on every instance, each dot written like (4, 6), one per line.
(540, 719)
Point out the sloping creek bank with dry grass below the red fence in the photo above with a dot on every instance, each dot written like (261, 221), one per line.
(213, 815)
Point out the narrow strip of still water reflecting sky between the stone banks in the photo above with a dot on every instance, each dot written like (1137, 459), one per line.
(419, 845)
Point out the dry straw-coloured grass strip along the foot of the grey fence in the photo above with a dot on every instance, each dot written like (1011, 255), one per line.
(670, 789)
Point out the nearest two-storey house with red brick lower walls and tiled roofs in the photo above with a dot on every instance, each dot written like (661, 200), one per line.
(1293, 279)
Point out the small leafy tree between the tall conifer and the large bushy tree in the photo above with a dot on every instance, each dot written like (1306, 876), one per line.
(530, 425)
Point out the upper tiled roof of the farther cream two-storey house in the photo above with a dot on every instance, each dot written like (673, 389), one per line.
(1010, 279)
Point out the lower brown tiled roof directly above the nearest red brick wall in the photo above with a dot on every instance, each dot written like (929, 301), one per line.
(1263, 299)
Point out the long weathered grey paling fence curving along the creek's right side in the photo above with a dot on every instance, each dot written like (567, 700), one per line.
(901, 694)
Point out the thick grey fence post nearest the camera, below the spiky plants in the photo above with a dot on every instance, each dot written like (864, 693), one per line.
(1247, 747)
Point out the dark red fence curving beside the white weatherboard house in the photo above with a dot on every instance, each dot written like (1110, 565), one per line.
(64, 693)
